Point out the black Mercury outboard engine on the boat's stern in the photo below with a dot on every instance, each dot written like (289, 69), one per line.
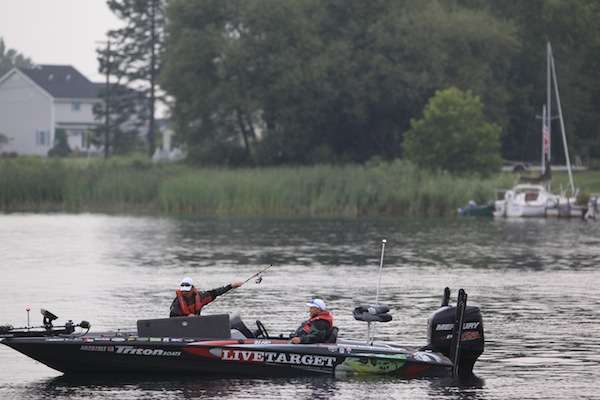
(443, 329)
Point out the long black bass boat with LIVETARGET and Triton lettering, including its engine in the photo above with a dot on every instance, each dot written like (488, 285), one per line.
(224, 346)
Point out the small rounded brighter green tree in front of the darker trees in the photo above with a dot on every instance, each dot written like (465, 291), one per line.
(453, 135)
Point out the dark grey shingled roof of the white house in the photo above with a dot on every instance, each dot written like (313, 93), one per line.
(61, 81)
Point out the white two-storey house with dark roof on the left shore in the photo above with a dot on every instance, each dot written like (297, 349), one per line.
(35, 102)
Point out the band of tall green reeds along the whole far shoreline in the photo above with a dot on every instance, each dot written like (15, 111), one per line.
(132, 185)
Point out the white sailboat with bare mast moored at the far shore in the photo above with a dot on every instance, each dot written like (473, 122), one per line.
(534, 199)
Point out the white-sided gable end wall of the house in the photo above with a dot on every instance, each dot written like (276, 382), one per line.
(25, 110)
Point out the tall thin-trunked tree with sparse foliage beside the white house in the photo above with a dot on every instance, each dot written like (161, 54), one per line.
(134, 53)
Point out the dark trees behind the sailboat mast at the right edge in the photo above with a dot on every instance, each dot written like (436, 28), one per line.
(573, 29)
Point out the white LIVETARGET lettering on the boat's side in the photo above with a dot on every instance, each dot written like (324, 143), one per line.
(277, 358)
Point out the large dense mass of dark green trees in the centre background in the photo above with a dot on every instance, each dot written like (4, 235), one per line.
(324, 80)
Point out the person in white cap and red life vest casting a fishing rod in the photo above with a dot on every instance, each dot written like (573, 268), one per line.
(189, 300)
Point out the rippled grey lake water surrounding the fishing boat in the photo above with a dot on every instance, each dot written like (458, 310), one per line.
(537, 283)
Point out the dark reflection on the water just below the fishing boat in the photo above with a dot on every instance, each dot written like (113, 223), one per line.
(318, 387)
